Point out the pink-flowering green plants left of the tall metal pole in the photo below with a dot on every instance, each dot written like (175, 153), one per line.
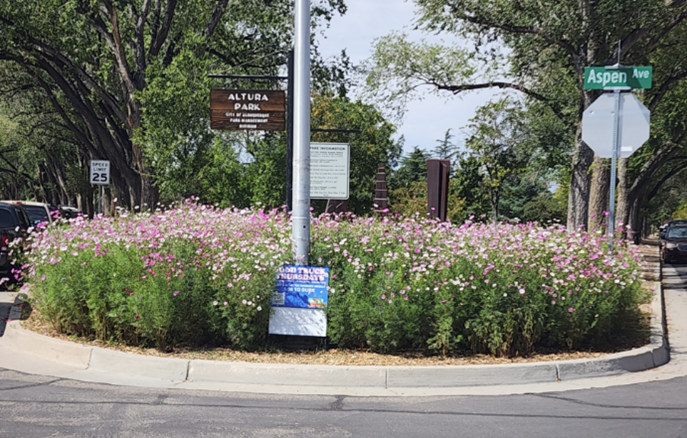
(191, 275)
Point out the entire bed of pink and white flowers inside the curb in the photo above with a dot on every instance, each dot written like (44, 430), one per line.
(196, 275)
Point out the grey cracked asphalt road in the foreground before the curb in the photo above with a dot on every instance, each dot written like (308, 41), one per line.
(37, 406)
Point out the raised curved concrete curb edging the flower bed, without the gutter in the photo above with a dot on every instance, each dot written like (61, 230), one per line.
(99, 361)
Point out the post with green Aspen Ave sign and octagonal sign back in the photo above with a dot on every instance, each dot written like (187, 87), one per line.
(630, 119)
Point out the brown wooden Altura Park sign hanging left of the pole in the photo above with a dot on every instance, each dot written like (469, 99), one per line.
(234, 110)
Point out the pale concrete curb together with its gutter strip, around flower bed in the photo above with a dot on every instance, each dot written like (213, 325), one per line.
(29, 352)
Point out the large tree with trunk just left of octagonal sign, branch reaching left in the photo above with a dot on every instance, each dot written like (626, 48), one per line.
(549, 44)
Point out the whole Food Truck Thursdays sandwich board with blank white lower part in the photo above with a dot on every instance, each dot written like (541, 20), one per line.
(299, 300)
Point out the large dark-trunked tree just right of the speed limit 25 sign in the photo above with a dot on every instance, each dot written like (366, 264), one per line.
(100, 62)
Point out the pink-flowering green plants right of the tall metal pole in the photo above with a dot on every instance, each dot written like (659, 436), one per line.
(408, 284)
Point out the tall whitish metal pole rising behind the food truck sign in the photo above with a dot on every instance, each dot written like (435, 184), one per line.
(300, 218)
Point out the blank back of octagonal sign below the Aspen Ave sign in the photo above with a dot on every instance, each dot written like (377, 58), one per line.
(633, 124)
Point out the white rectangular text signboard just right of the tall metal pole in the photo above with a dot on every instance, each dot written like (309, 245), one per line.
(329, 170)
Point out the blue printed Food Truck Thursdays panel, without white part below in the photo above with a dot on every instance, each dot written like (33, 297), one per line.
(303, 287)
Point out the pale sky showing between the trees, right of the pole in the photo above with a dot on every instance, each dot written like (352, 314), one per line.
(425, 121)
